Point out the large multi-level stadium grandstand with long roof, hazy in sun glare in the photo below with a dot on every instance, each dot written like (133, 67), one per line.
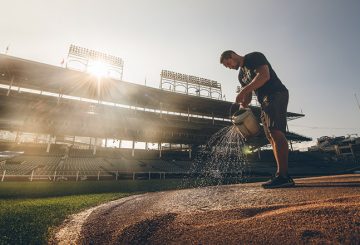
(60, 108)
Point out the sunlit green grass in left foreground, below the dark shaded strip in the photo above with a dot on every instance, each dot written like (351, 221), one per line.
(30, 221)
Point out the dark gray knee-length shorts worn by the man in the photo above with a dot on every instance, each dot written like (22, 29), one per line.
(273, 111)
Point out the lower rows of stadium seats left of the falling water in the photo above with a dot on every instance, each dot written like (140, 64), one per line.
(78, 166)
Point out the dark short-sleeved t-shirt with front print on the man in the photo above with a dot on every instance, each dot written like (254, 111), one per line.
(248, 72)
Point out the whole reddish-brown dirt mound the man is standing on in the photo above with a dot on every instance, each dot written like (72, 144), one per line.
(322, 210)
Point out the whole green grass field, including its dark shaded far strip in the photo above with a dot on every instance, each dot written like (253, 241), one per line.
(29, 211)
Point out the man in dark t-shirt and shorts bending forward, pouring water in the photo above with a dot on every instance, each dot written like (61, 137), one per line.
(256, 74)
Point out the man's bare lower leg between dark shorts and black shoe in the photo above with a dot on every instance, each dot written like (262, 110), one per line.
(281, 151)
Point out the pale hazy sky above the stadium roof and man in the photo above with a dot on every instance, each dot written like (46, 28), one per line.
(313, 45)
